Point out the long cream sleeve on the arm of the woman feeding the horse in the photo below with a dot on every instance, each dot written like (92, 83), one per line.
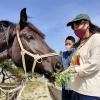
(93, 63)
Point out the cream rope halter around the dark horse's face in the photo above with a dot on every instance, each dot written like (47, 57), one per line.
(35, 56)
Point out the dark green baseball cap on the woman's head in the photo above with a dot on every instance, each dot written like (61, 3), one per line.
(79, 17)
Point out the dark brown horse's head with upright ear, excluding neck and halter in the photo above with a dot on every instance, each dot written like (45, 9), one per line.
(33, 41)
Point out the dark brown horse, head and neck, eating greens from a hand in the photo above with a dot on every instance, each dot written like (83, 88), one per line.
(32, 40)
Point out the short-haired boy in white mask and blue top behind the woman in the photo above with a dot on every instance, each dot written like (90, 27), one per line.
(66, 59)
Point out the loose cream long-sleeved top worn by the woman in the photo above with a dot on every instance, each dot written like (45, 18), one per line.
(87, 79)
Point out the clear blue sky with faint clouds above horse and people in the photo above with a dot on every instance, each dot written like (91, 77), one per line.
(51, 16)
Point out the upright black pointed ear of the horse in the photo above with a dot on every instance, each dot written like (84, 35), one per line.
(23, 18)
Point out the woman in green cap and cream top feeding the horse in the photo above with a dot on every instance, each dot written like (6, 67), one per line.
(86, 59)
